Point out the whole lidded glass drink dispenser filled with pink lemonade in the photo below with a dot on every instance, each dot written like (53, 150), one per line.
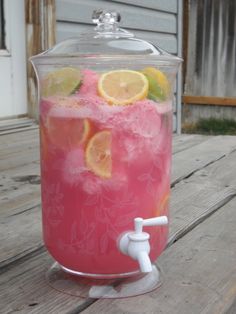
(105, 103)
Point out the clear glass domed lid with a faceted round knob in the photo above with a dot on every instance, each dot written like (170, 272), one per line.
(107, 40)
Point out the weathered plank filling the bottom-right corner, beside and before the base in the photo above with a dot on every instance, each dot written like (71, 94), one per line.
(200, 273)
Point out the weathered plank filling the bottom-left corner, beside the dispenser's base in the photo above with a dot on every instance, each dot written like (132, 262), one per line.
(23, 289)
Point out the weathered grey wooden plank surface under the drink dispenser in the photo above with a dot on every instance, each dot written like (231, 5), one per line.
(199, 262)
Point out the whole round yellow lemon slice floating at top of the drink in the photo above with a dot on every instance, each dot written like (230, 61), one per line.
(122, 87)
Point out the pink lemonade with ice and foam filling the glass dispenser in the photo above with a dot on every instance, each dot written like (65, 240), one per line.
(87, 208)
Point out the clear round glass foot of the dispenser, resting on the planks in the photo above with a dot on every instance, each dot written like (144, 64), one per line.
(80, 286)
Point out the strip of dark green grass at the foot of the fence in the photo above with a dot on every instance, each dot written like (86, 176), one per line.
(212, 126)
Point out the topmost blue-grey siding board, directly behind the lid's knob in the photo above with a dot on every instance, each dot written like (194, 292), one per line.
(132, 17)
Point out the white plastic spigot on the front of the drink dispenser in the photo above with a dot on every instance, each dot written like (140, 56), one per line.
(136, 243)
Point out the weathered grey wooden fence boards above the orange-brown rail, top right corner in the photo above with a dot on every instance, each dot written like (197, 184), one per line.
(211, 48)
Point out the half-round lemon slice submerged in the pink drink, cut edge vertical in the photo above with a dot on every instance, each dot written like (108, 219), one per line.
(98, 154)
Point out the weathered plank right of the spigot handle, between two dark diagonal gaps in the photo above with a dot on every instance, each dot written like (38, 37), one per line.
(198, 196)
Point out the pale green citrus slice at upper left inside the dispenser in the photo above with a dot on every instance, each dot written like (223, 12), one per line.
(62, 82)
